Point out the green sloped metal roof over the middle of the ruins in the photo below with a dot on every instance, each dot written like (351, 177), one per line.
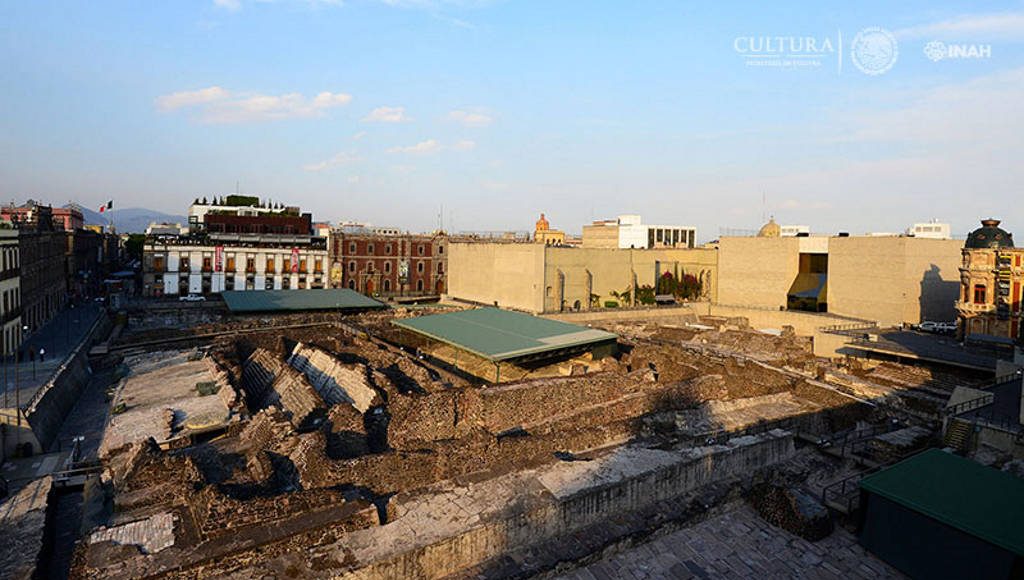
(499, 336)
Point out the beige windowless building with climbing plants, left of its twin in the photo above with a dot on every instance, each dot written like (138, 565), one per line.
(546, 279)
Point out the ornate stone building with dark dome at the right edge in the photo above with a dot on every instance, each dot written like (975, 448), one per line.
(992, 281)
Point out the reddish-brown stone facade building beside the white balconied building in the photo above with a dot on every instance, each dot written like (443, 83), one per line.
(404, 265)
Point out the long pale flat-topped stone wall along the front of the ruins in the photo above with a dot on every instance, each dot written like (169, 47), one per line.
(575, 495)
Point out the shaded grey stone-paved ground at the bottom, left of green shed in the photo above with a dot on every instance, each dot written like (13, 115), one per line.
(740, 545)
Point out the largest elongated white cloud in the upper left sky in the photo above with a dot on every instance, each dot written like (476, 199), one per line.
(217, 105)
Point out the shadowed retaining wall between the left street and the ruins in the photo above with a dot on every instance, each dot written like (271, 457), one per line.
(49, 408)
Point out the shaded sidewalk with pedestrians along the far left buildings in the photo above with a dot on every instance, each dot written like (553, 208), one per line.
(59, 338)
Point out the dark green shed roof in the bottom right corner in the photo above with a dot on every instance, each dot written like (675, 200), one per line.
(979, 501)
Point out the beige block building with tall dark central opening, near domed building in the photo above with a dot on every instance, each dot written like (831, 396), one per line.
(891, 280)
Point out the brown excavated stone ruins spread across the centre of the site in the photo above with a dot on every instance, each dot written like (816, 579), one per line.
(352, 451)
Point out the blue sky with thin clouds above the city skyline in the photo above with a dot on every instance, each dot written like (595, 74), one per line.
(481, 115)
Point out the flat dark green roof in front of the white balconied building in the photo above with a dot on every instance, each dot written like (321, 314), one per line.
(312, 300)
